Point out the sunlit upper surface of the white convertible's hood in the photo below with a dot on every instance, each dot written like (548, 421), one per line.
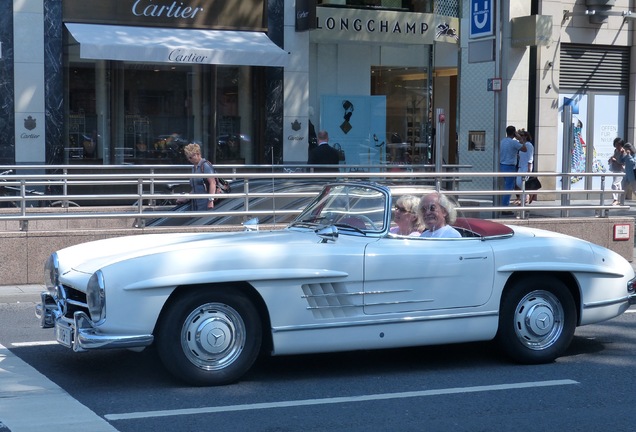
(89, 257)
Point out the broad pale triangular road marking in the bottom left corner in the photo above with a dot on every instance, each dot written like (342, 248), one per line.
(32, 402)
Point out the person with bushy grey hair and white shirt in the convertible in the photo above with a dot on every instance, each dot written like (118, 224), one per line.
(437, 213)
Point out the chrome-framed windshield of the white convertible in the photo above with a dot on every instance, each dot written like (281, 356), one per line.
(356, 208)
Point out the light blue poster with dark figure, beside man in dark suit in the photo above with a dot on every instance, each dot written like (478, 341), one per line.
(358, 125)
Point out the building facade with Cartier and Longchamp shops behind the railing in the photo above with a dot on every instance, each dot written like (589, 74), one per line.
(108, 82)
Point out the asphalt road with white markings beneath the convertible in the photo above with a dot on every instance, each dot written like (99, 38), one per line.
(467, 387)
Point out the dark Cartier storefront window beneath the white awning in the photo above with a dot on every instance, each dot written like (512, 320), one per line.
(140, 113)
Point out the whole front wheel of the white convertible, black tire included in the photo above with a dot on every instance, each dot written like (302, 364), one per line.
(209, 337)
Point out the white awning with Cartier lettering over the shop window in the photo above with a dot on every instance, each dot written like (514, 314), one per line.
(176, 45)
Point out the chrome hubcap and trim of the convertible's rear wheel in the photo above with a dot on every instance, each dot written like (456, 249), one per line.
(539, 320)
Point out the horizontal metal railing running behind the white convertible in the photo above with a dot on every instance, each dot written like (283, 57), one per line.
(141, 184)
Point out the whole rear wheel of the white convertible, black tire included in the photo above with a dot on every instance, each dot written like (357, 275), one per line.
(536, 321)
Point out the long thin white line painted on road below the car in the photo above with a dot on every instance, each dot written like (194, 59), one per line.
(336, 400)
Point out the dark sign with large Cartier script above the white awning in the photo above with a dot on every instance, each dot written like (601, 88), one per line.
(204, 14)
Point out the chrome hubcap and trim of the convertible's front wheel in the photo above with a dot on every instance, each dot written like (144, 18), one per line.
(213, 336)
